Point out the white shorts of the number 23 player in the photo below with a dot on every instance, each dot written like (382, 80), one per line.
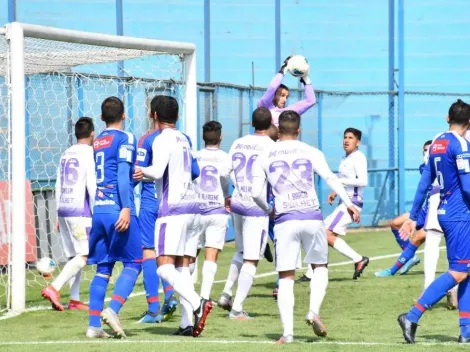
(291, 235)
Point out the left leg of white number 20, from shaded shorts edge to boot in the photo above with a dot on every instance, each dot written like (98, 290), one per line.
(225, 300)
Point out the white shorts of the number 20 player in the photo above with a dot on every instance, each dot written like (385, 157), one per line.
(251, 235)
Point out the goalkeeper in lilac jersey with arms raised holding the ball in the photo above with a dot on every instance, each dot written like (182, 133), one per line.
(275, 98)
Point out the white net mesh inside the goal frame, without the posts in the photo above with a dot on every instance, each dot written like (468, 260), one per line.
(65, 81)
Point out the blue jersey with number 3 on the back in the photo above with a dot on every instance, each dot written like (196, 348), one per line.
(112, 147)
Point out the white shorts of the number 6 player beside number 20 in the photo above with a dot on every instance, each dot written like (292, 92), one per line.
(213, 229)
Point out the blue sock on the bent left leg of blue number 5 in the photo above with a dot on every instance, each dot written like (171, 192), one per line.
(431, 296)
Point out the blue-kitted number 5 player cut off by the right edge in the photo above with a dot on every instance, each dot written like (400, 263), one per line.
(449, 163)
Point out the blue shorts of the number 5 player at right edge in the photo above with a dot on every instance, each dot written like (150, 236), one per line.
(457, 235)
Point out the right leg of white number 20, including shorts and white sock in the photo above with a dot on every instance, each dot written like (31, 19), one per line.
(254, 240)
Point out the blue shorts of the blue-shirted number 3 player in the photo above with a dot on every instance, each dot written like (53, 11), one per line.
(108, 245)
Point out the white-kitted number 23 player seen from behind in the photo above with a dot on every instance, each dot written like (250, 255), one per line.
(288, 166)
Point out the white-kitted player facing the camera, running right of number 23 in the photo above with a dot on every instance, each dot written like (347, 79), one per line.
(353, 176)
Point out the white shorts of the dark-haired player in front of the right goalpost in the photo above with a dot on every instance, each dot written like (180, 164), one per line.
(170, 234)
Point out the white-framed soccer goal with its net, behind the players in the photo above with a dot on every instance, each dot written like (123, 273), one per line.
(48, 79)
